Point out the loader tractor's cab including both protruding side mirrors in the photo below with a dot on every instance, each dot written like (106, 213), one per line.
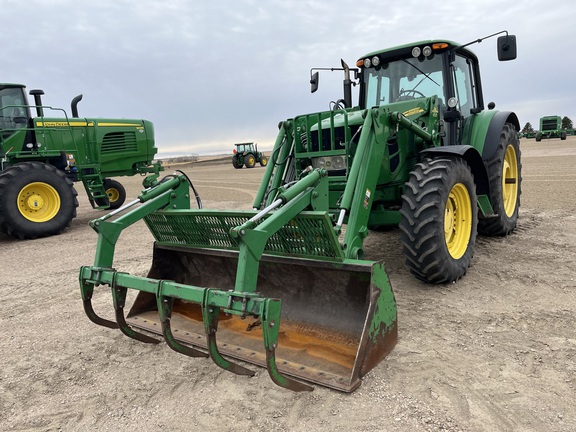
(440, 69)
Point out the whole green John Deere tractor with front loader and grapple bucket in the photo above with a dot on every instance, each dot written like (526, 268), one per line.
(286, 285)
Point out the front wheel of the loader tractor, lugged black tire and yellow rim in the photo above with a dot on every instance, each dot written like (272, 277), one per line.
(439, 220)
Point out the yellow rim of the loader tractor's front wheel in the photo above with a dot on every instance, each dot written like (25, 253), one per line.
(458, 221)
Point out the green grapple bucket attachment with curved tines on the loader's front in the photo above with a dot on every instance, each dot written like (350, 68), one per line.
(271, 288)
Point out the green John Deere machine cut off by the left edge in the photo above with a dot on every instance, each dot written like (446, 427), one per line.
(41, 157)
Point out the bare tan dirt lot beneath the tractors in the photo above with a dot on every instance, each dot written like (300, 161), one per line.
(495, 351)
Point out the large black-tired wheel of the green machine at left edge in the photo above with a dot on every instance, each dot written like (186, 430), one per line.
(36, 200)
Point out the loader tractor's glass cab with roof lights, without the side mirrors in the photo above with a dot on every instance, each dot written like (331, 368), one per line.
(439, 69)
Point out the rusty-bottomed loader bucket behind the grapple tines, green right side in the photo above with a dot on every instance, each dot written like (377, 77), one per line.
(338, 319)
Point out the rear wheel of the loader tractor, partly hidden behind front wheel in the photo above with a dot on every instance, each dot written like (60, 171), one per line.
(505, 178)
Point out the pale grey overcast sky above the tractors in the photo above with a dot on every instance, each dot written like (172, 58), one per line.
(212, 73)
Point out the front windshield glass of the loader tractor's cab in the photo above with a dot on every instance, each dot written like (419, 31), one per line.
(403, 79)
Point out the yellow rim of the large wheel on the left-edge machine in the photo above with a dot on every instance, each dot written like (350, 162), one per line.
(38, 202)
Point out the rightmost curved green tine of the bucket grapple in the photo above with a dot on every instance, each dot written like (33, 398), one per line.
(270, 329)
